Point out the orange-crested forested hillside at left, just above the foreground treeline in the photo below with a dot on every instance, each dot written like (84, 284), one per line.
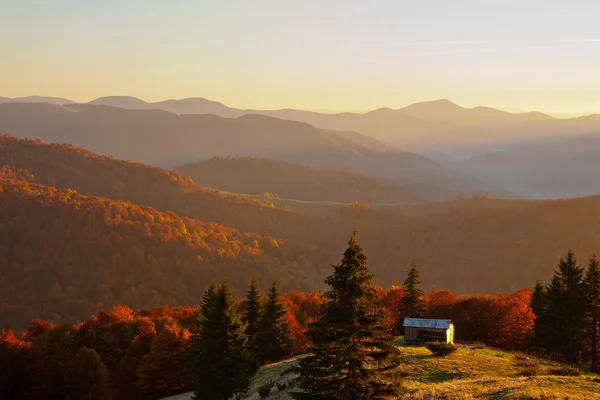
(65, 255)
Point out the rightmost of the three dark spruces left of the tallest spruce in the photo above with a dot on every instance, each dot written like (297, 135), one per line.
(274, 339)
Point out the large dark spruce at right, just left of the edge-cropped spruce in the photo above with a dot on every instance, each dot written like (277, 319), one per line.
(564, 319)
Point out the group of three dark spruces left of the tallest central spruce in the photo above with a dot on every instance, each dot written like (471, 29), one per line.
(231, 345)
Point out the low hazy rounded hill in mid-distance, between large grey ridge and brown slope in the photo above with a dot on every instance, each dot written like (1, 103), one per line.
(293, 181)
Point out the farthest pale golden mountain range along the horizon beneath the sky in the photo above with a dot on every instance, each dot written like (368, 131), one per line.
(421, 126)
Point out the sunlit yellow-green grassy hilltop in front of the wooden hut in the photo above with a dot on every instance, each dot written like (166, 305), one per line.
(470, 373)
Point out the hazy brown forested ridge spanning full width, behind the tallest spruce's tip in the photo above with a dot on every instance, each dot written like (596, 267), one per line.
(469, 245)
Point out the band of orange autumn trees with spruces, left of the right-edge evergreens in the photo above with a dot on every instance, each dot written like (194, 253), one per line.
(162, 351)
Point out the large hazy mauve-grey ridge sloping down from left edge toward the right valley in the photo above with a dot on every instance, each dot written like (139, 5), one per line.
(161, 138)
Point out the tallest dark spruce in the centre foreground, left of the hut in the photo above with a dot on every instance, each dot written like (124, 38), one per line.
(352, 355)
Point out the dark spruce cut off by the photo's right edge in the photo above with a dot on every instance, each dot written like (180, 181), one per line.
(592, 292)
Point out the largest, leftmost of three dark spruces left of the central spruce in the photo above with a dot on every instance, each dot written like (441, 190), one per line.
(222, 364)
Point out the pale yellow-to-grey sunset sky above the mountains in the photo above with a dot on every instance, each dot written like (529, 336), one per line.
(336, 55)
